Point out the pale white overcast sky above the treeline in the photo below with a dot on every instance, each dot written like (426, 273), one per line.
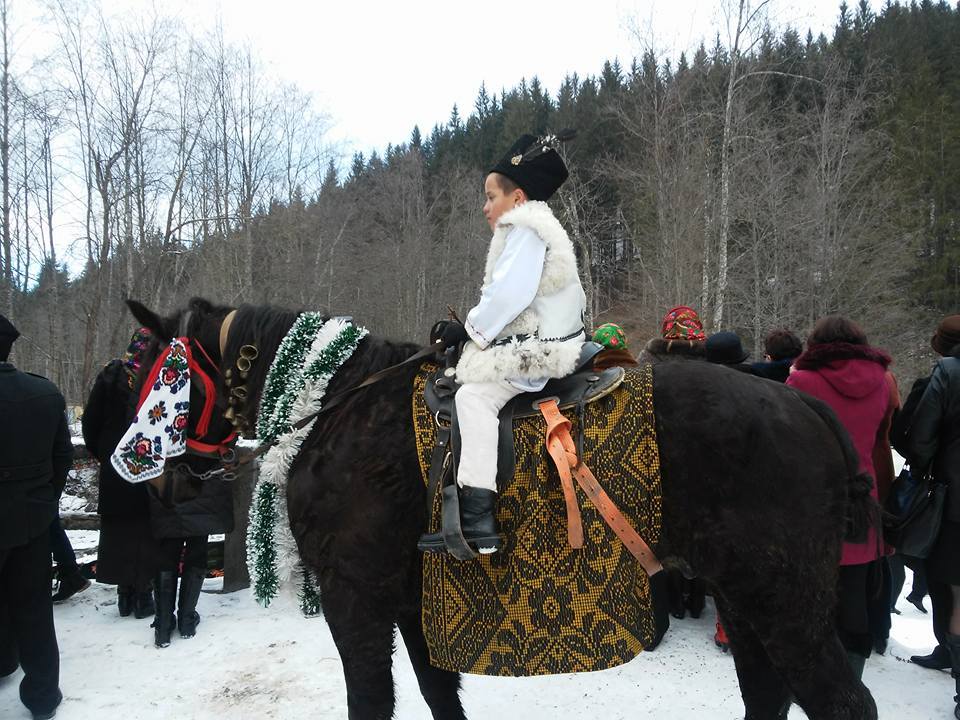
(379, 68)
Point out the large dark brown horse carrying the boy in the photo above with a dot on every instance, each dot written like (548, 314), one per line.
(759, 483)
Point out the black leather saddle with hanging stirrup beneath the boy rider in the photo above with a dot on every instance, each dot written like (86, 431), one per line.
(576, 392)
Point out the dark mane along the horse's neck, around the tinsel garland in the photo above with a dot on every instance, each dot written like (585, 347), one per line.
(265, 327)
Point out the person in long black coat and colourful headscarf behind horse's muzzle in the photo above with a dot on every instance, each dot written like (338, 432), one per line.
(127, 551)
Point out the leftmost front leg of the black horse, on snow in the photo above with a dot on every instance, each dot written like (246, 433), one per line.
(364, 639)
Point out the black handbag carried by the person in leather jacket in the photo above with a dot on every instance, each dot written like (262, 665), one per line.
(914, 511)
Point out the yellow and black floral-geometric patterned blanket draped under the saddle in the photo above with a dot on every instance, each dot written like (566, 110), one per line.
(538, 606)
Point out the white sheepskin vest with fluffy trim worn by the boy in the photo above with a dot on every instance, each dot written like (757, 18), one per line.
(556, 311)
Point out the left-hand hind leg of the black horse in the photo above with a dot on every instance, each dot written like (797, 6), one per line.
(765, 695)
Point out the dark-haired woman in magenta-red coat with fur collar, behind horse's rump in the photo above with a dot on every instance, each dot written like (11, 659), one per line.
(840, 368)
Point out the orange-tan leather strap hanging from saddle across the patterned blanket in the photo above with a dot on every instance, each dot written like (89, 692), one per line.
(558, 435)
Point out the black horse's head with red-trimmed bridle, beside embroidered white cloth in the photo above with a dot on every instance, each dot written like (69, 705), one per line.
(210, 435)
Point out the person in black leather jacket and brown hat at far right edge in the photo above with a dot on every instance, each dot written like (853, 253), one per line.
(933, 445)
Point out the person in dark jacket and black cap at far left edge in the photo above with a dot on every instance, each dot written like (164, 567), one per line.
(35, 455)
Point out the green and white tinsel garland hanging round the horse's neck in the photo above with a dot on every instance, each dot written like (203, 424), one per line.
(296, 385)
